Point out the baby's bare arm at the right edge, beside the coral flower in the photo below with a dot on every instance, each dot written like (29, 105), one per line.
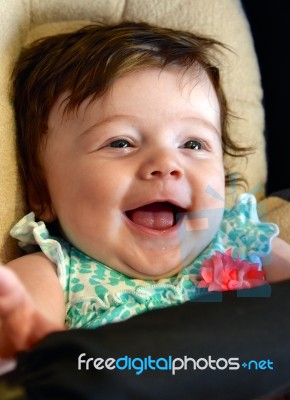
(279, 268)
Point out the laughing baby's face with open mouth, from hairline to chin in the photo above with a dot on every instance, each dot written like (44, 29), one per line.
(121, 169)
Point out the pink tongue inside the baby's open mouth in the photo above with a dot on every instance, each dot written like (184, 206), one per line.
(154, 216)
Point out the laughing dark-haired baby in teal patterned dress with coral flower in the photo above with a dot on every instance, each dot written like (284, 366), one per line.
(121, 132)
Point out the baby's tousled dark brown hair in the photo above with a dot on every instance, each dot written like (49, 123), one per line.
(84, 63)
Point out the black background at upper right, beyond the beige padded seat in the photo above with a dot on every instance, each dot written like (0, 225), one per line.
(270, 25)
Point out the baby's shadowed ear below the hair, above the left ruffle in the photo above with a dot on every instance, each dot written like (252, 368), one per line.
(42, 209)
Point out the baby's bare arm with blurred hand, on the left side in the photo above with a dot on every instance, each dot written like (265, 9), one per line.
(31, 303)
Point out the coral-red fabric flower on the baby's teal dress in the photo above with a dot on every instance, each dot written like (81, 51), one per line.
(222, 272)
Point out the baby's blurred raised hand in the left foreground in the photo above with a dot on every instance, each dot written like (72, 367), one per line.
(21, 323)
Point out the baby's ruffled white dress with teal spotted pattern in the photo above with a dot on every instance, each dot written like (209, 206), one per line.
(96, 295)
